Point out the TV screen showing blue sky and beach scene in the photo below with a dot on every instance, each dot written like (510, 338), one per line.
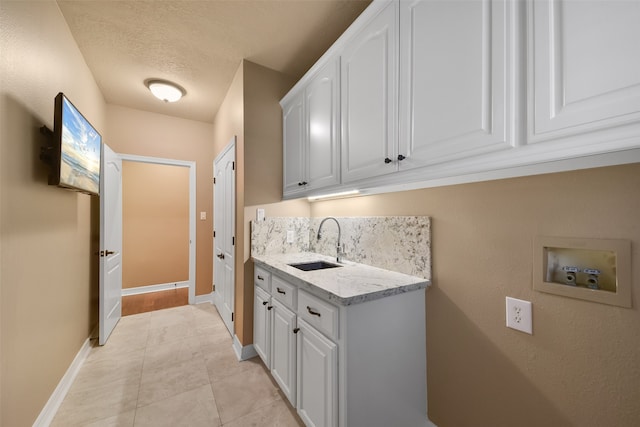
(80, 163)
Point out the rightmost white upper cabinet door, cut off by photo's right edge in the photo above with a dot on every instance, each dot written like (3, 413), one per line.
(584, 67)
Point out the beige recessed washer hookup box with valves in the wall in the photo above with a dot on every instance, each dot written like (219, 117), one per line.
(597, 270)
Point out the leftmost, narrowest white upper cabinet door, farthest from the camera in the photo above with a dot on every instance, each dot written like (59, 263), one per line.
(293, 130)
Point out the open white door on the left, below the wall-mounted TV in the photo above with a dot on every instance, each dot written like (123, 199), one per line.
(110, 243)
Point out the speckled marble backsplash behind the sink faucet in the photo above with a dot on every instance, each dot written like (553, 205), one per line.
(396, 243)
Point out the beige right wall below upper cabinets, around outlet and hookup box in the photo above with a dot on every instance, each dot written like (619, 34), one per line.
(581, 366)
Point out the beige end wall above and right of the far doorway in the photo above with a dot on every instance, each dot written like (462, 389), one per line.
(155, 135)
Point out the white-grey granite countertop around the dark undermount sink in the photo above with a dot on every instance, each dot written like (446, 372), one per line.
(352, 283)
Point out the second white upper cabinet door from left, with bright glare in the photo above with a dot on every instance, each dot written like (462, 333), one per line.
(322, 100)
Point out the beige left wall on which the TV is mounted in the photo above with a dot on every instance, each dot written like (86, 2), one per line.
(48, 235)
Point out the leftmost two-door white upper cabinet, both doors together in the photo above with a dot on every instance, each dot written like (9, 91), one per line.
(310, 130)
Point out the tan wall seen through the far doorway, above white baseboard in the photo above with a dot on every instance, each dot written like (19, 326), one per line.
(155, 235)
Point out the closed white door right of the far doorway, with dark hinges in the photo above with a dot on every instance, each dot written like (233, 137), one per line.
(224, 233)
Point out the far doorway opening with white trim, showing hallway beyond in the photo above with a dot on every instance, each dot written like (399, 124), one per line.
(158, 233)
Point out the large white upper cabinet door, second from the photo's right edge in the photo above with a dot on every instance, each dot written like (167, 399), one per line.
(455, 79)
